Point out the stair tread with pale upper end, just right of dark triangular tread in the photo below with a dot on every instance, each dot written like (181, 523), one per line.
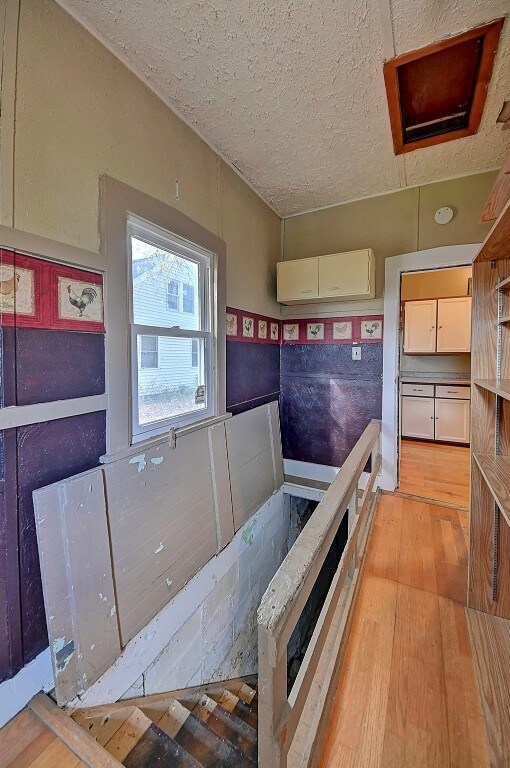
(199, 740)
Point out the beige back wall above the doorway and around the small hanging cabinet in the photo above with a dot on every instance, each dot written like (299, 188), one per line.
(392, 224)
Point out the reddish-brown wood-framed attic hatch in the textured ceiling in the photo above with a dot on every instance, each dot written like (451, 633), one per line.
(438, 93)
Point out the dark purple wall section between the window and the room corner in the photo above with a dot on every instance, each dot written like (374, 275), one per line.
(253, 374)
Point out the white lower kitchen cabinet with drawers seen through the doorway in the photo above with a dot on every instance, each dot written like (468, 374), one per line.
(435, 417)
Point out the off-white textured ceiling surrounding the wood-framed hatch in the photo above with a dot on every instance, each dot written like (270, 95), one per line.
(292, 92)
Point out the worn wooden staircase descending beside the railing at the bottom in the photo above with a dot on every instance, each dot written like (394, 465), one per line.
(200, 728)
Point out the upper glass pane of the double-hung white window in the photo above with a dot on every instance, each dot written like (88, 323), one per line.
(165, 288)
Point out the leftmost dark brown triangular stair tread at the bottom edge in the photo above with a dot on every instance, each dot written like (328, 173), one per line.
(155, 749)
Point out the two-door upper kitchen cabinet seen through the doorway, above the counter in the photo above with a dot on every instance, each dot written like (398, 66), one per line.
(437, 326)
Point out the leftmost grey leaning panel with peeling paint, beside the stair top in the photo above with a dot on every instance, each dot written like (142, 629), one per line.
(79, 598)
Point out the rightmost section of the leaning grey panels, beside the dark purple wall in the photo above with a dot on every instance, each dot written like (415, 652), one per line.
(254, 457)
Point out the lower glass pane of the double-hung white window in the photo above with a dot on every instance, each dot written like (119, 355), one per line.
(176, 387)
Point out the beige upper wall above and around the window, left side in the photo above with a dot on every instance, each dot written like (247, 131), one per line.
(81, 113)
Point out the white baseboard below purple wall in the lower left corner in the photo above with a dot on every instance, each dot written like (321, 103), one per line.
(16, 692)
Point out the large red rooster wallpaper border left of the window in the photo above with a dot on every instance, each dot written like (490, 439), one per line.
(54, 304)
